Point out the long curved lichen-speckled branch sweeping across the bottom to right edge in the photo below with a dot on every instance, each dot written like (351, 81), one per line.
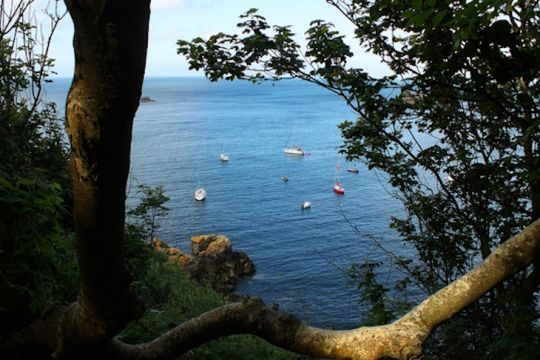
(402, 339)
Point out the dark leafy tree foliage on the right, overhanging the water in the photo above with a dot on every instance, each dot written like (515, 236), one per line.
(455, 125)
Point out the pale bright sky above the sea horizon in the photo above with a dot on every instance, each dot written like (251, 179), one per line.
(171, 20)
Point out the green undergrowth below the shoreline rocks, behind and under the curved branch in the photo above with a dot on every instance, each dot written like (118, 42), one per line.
(172, 298)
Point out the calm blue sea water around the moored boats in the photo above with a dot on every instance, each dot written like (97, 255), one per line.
(300, 254)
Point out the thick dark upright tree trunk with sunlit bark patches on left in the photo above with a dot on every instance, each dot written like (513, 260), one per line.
(110, 45)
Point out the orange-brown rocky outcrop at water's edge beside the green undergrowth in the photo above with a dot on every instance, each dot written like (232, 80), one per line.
(212, 262)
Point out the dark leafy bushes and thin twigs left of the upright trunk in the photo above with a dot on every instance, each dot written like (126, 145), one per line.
(37, 260)
